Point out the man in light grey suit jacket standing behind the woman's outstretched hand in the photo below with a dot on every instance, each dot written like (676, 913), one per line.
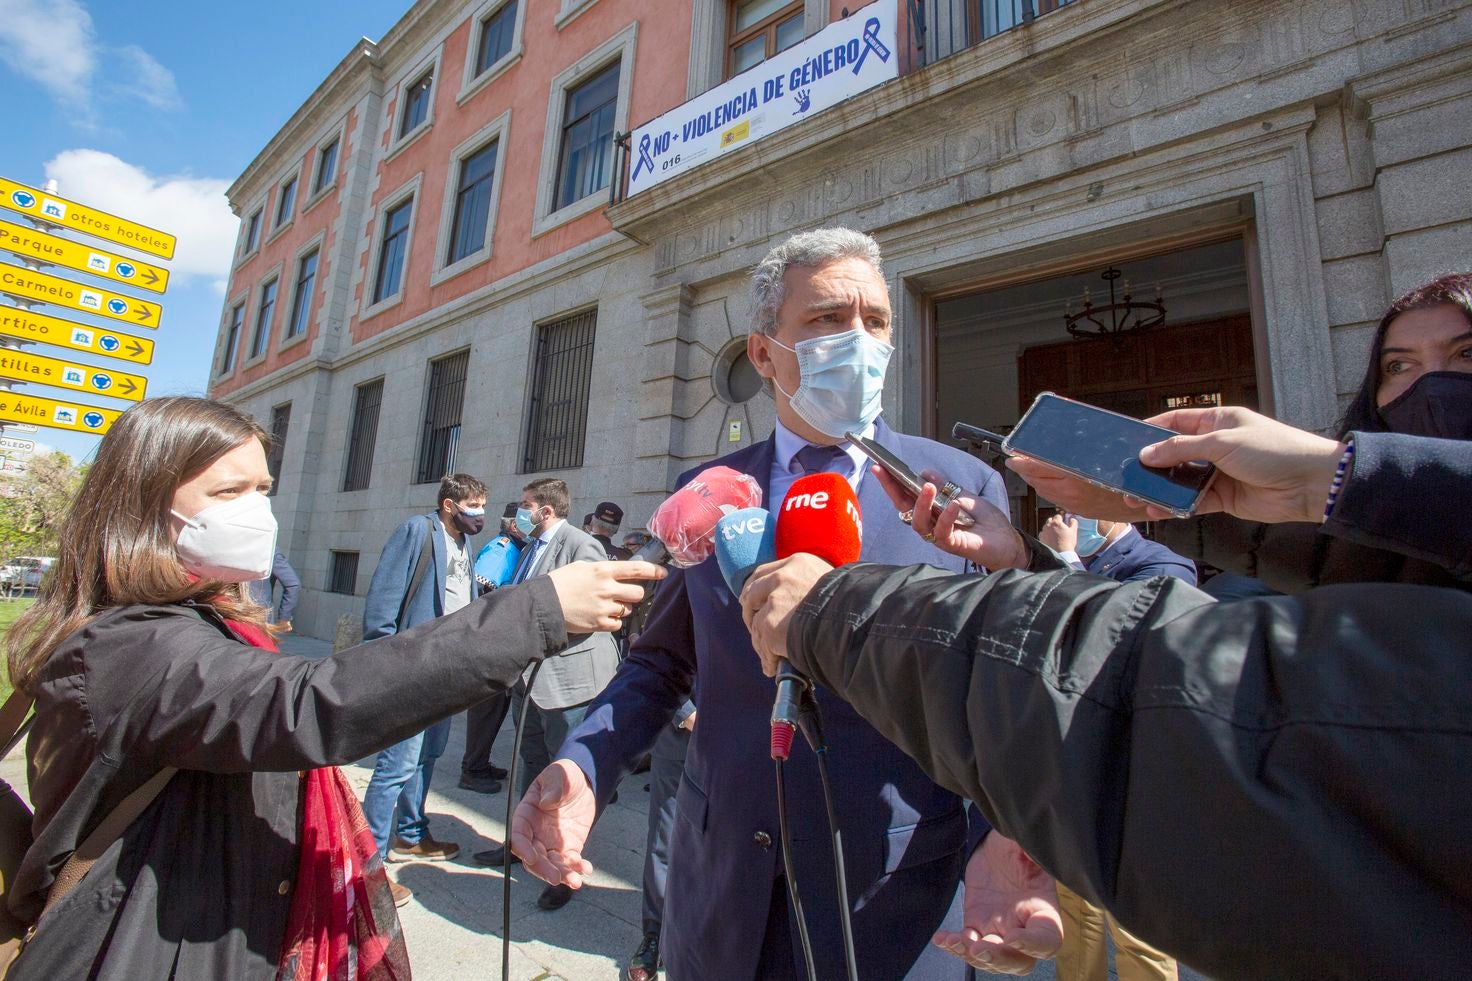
(567, 683)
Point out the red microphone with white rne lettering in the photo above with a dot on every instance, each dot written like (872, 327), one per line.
(821, 518)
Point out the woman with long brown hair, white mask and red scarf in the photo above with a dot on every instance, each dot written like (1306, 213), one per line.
(146, 656)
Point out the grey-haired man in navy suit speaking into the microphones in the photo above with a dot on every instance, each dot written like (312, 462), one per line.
(821, 337)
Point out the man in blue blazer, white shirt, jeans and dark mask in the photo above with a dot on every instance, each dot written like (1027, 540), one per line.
(425, 572)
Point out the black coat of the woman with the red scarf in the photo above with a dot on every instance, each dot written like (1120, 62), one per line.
(199, 886)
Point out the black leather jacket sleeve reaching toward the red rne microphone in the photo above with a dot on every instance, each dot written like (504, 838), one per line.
(1265, 789)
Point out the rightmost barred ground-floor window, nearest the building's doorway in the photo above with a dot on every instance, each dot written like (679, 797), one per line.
(557, 412)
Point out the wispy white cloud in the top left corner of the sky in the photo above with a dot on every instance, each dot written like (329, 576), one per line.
(54, 43)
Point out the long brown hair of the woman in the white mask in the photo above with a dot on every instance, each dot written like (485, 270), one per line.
(117, 543)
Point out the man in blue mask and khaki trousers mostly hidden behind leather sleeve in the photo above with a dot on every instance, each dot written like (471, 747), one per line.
(1118, 552)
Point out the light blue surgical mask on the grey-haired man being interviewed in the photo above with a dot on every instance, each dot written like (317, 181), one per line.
(841, 382)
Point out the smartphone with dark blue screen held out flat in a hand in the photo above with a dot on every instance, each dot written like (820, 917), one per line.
(1103, 449)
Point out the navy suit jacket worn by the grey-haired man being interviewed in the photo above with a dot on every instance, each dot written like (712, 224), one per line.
(905, 839)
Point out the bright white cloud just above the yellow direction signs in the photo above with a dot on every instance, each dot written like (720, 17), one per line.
(192, 208)
